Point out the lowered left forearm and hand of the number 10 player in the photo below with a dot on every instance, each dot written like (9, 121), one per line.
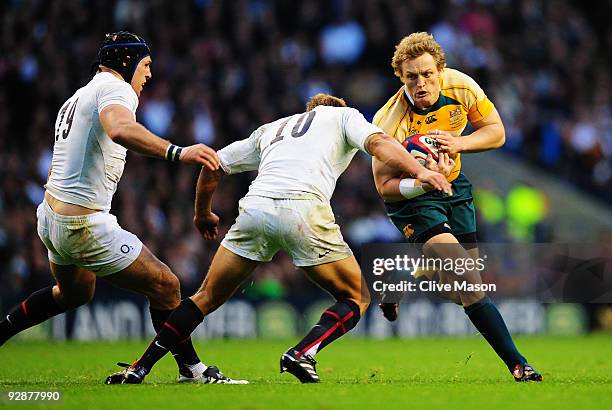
(205, 220)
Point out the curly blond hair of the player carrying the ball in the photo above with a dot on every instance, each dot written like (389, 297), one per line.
(415, 45)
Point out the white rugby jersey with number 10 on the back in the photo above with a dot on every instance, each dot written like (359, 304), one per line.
(300, 156)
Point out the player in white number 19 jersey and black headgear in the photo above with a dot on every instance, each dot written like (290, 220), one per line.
(93, 131)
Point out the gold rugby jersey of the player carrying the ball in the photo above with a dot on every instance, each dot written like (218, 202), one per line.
(461, 100)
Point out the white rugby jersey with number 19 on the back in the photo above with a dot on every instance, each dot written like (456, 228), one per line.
(87, 165)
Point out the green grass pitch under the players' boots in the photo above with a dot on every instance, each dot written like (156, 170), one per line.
(453, 373)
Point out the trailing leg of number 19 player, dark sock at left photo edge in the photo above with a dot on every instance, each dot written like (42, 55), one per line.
(74, 287)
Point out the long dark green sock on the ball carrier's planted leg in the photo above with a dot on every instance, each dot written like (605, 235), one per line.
(489, 322)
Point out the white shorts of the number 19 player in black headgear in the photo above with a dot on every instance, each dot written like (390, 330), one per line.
(95, 242)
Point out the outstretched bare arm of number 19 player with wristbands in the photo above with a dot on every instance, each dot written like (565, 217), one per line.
(122, 128)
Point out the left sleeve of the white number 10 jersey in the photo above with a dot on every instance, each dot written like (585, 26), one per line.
(243, 155)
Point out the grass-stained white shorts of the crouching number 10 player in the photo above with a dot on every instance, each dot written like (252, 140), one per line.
(304, 228)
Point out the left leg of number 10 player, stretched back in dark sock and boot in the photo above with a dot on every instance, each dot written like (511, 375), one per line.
(227, 271)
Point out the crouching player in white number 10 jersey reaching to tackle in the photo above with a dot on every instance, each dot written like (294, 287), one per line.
(299, 159)
